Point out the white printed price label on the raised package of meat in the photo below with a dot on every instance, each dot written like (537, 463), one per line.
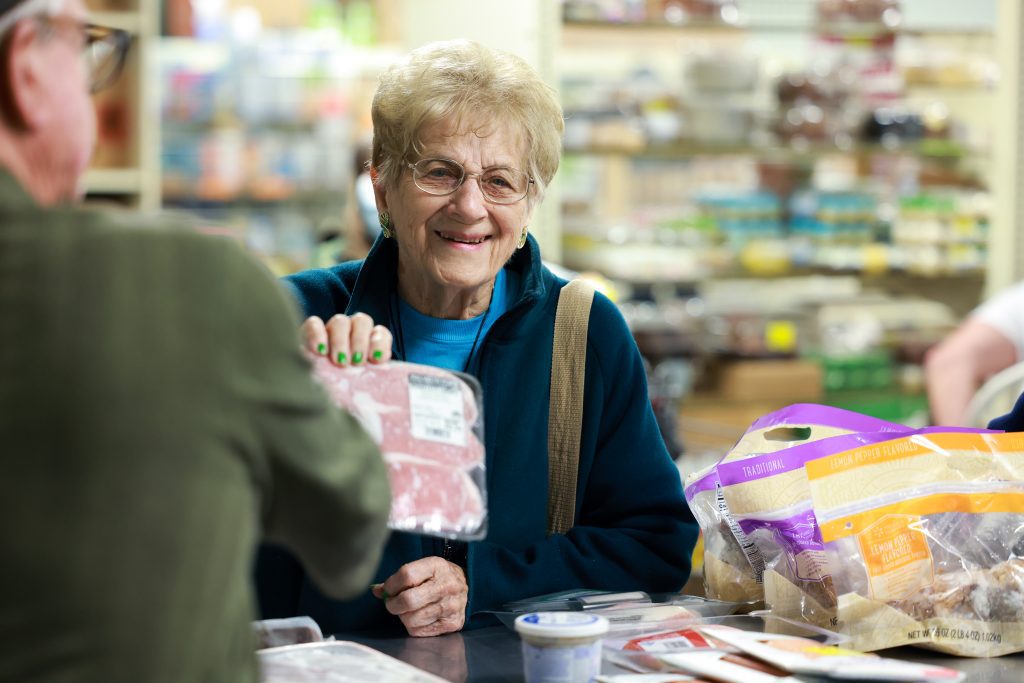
(437, 410)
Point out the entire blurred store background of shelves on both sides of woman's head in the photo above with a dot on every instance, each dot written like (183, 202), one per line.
(792, 200)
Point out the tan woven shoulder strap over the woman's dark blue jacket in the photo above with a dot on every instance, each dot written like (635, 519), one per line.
(569, 363)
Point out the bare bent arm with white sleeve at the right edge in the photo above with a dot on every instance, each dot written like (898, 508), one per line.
(988, 343)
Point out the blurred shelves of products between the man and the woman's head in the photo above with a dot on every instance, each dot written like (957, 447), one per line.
(261, 137)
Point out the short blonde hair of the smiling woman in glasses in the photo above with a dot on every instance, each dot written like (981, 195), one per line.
(461, 80)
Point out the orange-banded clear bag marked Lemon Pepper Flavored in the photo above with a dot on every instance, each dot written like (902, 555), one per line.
(926, 538)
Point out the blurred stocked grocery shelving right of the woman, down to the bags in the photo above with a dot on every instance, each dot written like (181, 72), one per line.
(794, 197)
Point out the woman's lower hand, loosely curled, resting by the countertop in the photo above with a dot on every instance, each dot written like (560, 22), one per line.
(429, 595)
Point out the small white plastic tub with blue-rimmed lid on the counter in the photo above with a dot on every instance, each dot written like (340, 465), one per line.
(562, 648)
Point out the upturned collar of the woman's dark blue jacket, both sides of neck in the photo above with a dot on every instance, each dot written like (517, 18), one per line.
(377, 281)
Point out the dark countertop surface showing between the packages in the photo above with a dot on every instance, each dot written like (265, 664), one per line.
(494, 656)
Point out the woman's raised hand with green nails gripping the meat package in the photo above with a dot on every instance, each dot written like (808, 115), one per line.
(349, 340)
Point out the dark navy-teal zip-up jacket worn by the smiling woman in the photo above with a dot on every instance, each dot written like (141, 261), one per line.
(633, 529)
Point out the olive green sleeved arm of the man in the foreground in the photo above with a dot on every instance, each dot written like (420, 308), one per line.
(326, 495)
